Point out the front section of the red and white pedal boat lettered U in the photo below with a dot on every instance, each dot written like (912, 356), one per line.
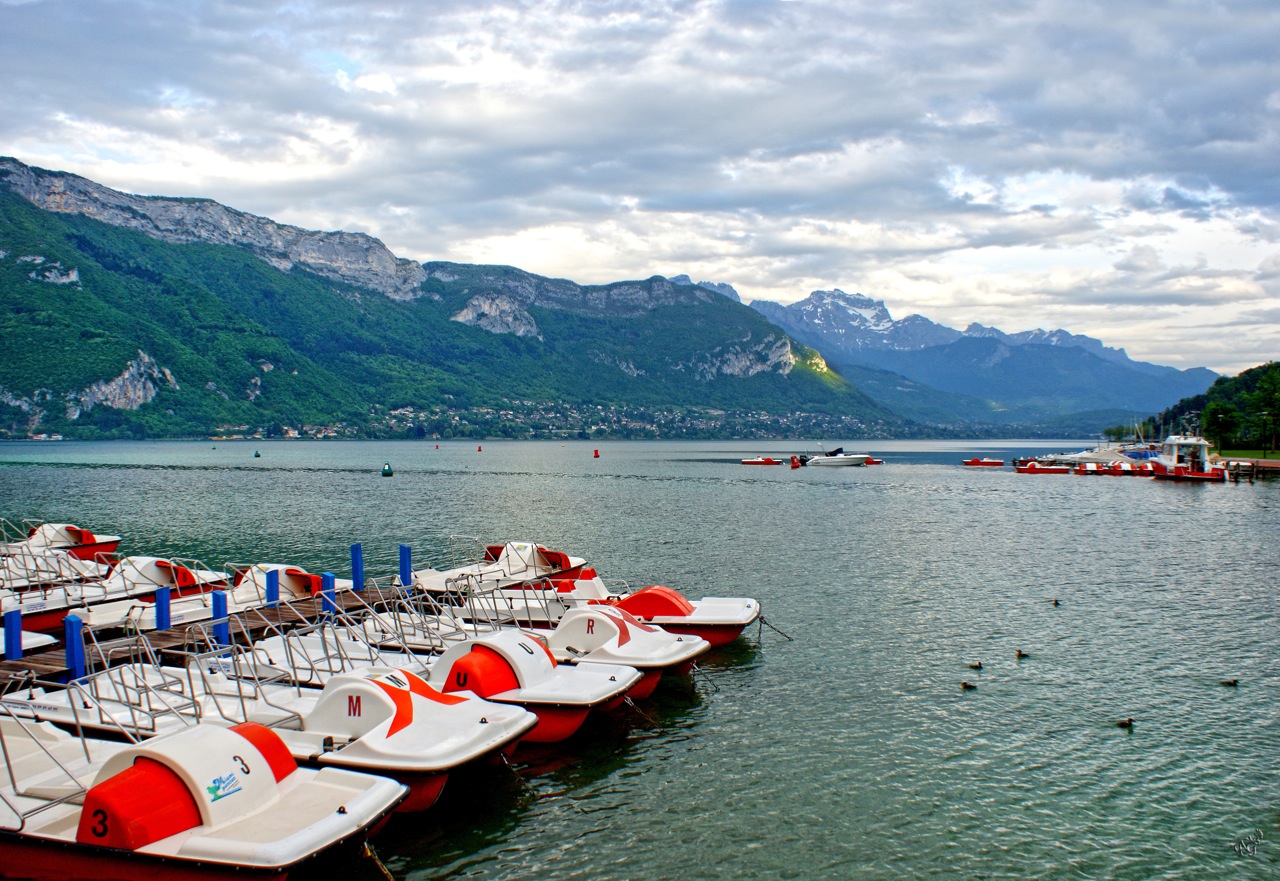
(515, 668)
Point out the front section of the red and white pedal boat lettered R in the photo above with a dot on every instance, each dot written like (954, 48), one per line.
(605, 634)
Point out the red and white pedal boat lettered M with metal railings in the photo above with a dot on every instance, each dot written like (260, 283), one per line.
(377, 720)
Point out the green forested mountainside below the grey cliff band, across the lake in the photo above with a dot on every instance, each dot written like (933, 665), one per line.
(111, 332)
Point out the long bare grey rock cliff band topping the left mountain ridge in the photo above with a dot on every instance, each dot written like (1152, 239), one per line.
(353, 258)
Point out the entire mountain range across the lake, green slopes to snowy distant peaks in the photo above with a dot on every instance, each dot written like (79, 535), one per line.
(127, 316)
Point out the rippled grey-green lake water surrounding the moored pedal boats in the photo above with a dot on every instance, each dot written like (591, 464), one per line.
(849, 751)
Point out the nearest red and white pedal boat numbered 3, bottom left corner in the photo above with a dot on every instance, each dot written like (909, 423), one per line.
(204, 804)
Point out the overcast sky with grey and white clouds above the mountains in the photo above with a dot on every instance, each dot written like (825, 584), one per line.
(1109, 168)
